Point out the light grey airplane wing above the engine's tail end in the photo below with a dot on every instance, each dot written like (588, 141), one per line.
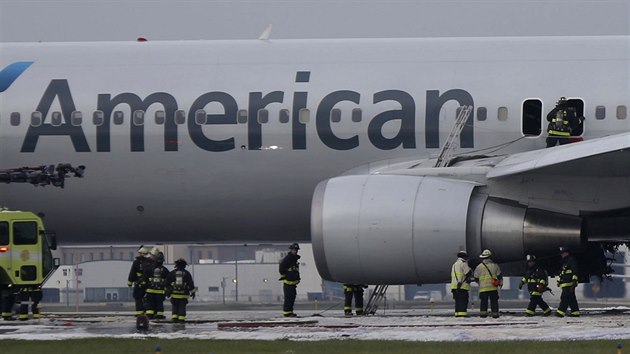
(603, 157)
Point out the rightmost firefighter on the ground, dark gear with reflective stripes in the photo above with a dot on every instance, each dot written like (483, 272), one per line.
(568, 281)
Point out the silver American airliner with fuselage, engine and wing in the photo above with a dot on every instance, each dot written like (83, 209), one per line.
(332, 141)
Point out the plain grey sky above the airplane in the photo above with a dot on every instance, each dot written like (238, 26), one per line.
(75, 20)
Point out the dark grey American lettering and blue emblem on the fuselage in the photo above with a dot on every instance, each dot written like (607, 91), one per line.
(106, 104)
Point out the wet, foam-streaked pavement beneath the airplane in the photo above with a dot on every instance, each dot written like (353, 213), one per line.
(412, 325)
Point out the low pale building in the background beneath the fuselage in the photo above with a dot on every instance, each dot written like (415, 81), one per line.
(232, 273)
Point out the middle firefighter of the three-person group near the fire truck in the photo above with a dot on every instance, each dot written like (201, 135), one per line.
(155, 278)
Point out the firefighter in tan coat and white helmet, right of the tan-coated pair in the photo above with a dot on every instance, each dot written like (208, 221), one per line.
(488, 275)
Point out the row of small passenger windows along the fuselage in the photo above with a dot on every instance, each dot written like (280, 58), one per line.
(201, 116)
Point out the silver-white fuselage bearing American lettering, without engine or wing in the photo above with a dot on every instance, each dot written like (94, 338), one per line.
(215, 177)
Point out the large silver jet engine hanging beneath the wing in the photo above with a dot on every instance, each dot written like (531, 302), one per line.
(393, 229)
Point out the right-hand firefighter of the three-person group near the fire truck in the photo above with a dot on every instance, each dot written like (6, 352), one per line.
(179, 287)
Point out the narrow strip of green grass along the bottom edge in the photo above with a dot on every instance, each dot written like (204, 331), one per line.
(187, 346)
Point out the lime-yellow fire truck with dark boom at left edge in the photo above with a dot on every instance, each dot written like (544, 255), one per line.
(26, 258)
